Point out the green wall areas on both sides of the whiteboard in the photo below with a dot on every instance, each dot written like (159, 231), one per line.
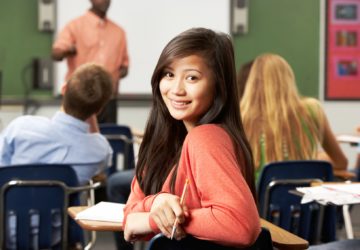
(287, 27)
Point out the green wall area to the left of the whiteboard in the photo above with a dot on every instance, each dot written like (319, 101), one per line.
(20, 42)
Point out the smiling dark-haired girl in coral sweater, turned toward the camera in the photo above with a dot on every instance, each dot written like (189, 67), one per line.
(194, 133)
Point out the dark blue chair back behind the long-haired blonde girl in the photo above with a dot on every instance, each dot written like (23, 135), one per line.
(284, 209)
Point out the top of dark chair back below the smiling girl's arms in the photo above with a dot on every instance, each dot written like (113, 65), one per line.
(160, 242)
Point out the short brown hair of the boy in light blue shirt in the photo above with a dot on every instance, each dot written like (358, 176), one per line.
(88, 90)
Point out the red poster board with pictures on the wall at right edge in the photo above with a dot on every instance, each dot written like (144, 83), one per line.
(343, 50)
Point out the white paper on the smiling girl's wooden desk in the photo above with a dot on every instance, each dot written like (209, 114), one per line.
(103, 211)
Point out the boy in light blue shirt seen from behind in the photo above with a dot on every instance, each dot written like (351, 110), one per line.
(71, 135)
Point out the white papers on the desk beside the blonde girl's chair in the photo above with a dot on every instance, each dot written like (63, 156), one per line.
(338, 194)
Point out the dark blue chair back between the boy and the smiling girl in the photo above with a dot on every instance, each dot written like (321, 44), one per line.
(121, 141)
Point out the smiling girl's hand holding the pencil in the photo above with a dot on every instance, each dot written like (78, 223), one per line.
(165, 209)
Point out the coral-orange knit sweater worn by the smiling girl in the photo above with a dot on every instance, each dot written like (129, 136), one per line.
(221, 206)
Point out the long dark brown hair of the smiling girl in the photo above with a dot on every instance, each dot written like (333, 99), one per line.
(164, 136)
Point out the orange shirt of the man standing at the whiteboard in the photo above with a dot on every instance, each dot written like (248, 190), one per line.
(96, 40)
